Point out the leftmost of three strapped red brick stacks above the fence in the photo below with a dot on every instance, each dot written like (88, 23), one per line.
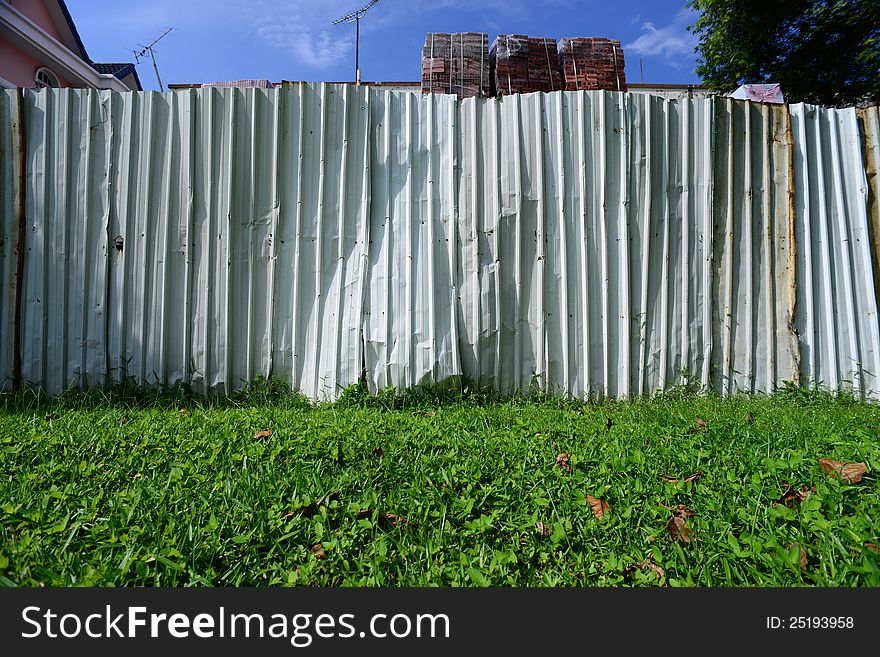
(456, 64)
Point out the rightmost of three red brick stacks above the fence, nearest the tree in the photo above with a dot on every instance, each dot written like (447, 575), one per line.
(594, 63)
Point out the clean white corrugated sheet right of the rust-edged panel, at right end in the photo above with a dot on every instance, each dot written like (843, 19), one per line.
(837, 302)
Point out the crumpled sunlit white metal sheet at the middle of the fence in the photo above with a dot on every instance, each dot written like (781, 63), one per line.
(410, 315)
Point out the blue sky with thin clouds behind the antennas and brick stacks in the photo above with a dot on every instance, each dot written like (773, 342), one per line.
(216, 40)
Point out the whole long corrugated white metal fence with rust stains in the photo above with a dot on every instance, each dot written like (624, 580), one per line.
(580, 242)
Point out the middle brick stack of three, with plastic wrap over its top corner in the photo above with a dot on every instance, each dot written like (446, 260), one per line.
(522, 64)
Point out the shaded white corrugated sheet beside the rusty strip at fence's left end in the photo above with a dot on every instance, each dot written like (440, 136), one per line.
(64, 303)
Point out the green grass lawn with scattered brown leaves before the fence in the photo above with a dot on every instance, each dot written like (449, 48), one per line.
(120, 489)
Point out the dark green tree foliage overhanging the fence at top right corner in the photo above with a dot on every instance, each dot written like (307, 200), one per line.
(825, 52)
